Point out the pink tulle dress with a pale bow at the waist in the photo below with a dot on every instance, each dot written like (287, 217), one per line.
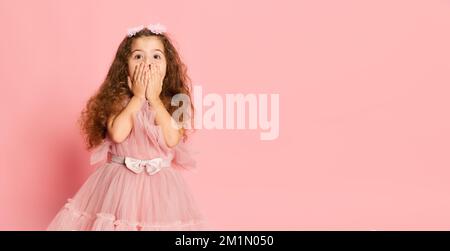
(139, 186)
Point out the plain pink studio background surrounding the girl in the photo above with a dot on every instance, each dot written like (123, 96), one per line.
(364, 110)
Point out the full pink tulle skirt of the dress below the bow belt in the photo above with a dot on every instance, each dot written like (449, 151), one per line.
(115, 198)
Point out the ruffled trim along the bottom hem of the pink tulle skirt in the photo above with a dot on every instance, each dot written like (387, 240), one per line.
(78, 220)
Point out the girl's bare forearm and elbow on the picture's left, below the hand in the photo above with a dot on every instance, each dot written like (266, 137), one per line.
(119, 125)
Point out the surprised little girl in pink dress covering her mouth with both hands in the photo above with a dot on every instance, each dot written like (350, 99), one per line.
(140, 187)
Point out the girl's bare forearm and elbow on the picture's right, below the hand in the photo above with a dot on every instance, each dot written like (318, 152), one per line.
(172, 135)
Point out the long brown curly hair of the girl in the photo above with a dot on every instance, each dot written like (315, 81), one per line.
(114, 93)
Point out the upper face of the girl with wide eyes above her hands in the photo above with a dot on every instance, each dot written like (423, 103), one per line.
(147, 49)
